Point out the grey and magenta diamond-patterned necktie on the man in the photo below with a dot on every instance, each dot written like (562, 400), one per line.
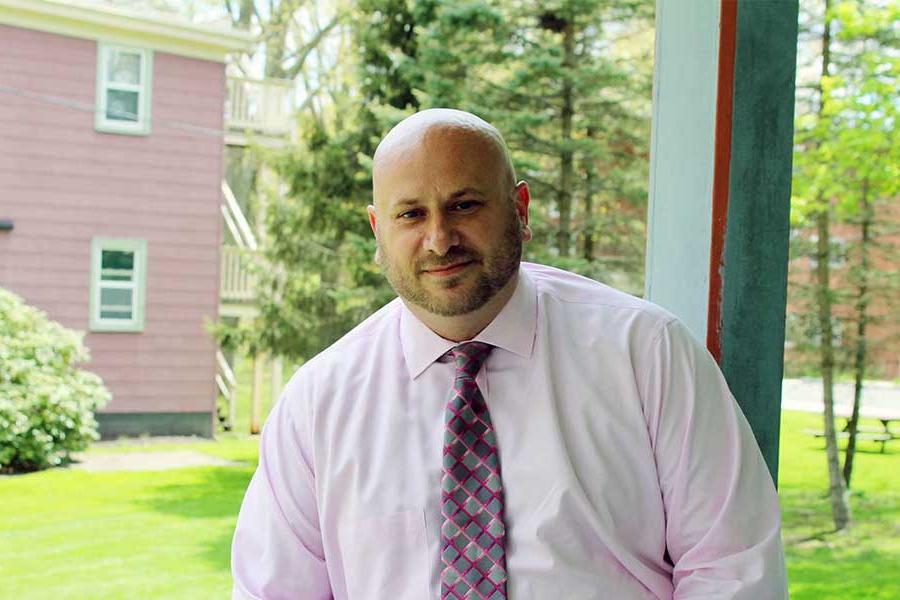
(473, 558)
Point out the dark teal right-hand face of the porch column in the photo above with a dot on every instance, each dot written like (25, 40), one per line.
(754, 263)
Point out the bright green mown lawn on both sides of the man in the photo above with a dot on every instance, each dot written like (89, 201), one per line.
(166, 534)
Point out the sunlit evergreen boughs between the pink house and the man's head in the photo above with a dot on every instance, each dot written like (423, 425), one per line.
(325, 280)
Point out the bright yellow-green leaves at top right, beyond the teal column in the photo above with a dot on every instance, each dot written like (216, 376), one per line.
(851, 137)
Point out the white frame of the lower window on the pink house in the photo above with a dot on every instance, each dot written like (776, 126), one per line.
(138, 284)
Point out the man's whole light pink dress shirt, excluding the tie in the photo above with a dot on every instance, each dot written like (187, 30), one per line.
(629, 471)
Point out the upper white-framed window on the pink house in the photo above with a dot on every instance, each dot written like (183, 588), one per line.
(123, 89)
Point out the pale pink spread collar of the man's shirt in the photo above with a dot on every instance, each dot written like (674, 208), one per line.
(513, 329)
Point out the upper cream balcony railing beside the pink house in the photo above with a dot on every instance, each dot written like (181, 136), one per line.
(260, 106)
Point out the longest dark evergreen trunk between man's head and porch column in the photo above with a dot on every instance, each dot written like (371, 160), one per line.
(564, 196)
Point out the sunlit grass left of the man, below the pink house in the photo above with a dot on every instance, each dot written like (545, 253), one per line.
(160, 534)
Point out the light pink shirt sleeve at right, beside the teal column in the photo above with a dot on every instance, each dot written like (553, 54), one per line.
(723, 527)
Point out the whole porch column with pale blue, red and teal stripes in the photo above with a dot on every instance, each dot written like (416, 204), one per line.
(720, 178)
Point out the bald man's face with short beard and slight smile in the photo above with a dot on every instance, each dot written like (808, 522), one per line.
(448, 222)
